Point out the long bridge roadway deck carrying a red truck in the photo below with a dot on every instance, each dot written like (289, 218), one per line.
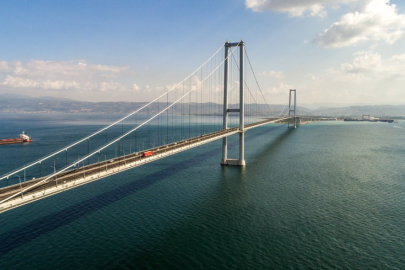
(11, 196)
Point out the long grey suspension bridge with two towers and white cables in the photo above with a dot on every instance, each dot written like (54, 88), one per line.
(219, 99)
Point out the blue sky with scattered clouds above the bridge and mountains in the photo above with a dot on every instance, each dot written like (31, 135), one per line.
(341, 52)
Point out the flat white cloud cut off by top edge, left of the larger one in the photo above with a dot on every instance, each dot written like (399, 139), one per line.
(295, 8)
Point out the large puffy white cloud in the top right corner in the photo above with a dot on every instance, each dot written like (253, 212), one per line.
(376, 20)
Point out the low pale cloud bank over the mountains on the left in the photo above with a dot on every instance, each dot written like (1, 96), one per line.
(61, 76)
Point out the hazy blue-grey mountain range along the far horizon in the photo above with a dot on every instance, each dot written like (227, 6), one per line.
(15, 103)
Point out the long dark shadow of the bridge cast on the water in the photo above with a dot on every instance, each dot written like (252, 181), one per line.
(41, 226)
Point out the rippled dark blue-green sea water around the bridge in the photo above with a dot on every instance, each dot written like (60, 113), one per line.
(322, 196)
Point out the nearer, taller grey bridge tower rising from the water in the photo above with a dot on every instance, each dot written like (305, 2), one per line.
(241, 110)
